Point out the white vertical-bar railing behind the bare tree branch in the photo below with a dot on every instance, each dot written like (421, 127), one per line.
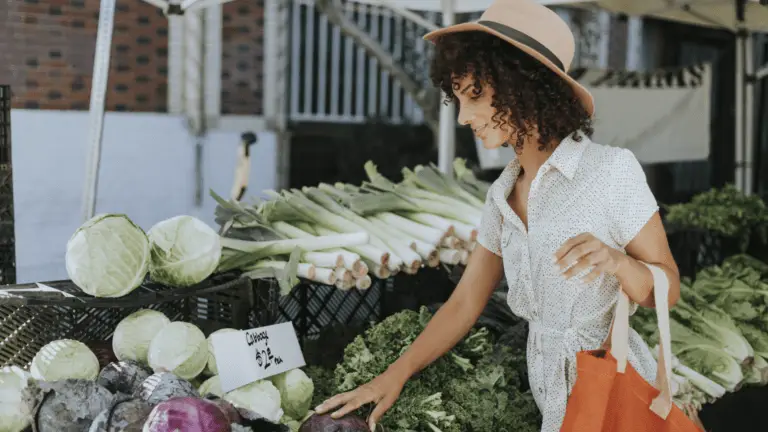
(332, 79)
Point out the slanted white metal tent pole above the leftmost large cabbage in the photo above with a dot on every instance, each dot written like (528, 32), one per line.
(96, 111)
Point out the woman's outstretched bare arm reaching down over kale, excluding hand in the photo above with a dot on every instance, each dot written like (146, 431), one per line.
(457, 316)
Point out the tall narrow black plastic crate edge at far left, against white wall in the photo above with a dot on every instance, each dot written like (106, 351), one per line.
(7, 239)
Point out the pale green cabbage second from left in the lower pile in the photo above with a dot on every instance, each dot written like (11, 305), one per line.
(64, 359)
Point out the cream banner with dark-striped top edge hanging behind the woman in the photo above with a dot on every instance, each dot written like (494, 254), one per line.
(660, 116)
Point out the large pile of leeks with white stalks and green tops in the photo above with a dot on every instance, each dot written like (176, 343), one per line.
(347, 234)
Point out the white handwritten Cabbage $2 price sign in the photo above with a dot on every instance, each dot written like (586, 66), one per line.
(250, 355)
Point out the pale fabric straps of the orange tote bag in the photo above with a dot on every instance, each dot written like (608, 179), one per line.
(662, 404)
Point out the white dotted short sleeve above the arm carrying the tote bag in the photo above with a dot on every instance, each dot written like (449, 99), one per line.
(631, 202)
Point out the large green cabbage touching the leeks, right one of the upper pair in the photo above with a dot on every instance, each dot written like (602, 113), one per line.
(185, 251)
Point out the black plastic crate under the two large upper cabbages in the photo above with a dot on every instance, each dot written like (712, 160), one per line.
(28, 321)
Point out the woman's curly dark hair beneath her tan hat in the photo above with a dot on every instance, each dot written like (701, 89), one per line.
(526, 91)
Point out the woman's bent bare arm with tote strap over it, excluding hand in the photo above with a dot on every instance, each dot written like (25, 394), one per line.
(649, 246)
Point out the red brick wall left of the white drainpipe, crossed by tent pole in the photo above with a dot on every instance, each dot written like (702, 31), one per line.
(48, 48)
